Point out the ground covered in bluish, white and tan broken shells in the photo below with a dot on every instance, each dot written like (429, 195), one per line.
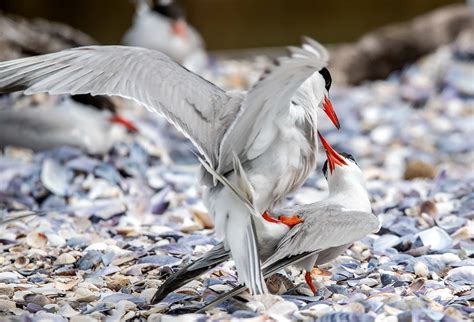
(114, 226)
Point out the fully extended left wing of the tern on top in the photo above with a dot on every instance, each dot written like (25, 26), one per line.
(148, 77)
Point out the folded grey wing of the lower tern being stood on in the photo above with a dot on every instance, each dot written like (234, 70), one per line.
(323, 228)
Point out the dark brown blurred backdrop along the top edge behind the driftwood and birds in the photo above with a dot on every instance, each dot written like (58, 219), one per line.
(235, 24)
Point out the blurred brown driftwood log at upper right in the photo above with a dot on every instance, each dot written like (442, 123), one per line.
(388, 49)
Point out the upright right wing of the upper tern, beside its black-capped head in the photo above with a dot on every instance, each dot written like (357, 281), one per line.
(268, 99)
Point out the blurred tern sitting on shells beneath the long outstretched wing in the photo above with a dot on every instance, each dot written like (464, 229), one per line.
(64, 123)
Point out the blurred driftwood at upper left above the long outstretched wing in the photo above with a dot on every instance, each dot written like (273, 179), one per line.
(20, 37)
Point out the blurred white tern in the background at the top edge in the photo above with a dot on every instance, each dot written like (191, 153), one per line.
(161, 25)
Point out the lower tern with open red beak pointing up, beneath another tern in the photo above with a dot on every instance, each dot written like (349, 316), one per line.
(328, 227)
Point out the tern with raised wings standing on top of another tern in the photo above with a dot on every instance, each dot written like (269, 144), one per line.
(271, 128)
